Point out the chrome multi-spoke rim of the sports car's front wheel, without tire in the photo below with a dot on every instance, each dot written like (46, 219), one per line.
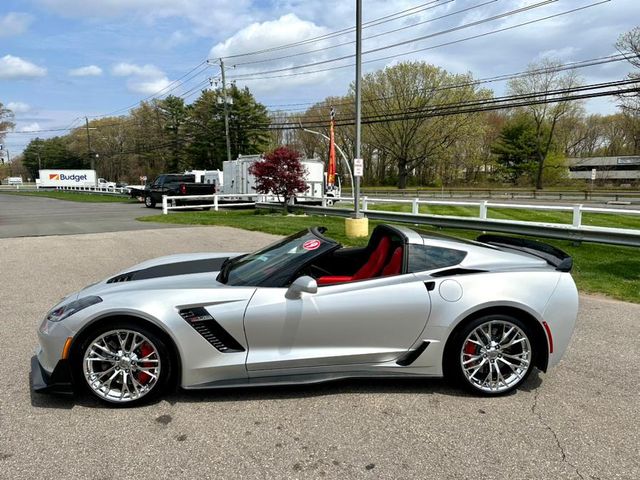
(121, 365)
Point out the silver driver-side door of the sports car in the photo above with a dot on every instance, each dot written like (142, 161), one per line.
(363, 322)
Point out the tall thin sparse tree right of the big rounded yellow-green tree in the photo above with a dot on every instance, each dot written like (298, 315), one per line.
(542, 78)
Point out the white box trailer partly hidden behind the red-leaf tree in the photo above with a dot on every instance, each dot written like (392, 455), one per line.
(238, 180)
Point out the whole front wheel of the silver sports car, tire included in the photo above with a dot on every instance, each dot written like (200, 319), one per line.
(124, 364)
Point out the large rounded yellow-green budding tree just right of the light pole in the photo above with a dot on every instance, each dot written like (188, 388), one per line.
(417, 141)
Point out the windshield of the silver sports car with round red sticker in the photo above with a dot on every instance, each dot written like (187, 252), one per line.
(274, 265)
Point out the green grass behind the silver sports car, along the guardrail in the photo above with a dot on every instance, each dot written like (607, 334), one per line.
(600, 269)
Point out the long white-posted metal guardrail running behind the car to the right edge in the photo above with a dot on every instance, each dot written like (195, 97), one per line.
(575, 231)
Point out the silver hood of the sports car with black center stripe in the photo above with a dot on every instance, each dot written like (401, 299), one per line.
(184, 271)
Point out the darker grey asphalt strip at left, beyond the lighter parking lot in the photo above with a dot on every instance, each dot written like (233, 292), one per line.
(26, 216)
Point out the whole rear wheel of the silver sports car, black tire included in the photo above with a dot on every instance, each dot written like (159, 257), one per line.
(490, 362)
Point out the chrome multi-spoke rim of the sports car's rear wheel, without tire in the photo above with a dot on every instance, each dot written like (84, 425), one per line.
(496, 356)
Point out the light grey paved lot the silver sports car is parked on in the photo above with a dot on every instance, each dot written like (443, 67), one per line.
(578, 421)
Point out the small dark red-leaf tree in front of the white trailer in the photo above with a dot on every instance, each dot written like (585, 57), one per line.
(280, 173)
